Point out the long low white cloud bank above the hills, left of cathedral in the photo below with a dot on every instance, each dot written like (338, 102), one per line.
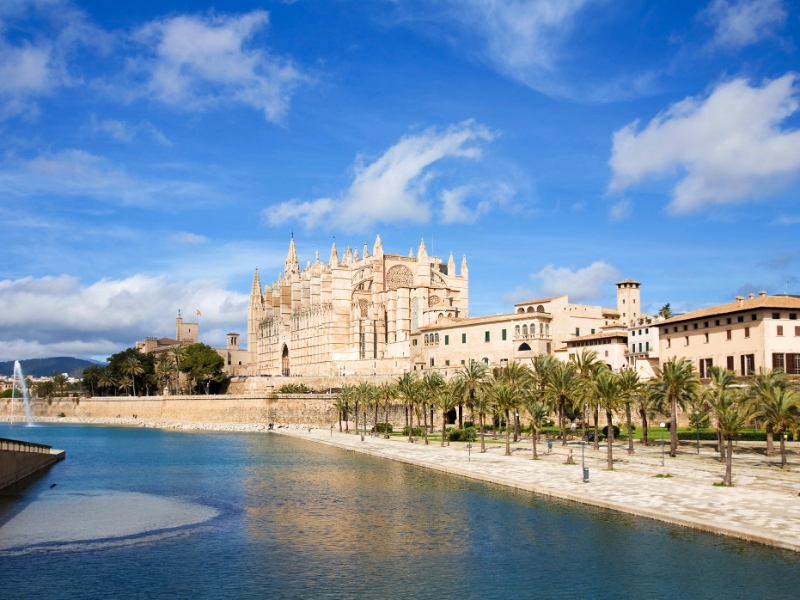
(54, 316)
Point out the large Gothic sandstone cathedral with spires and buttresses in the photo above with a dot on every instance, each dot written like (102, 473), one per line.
(353, 316)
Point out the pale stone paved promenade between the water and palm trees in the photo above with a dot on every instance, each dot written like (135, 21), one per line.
(763, 505)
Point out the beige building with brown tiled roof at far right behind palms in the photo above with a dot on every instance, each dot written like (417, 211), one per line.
(743, 336)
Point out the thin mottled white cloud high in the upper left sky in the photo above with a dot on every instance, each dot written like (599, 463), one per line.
(198, 62)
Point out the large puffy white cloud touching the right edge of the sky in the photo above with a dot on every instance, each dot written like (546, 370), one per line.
(723, 148)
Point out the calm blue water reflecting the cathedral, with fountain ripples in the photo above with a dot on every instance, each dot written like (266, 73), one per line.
(263, 515)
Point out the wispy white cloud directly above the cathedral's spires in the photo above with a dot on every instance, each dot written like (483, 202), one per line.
(391, 188)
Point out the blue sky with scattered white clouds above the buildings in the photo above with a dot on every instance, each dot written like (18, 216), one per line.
(155, 153)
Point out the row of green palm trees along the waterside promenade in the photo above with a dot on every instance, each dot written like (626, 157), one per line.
(575, 389)
